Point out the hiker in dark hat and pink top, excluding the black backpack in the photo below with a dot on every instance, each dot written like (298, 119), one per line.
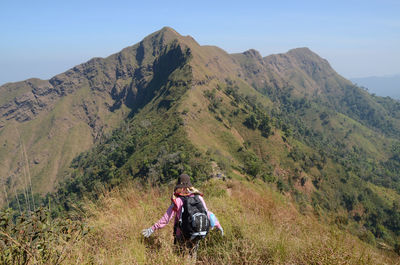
(182, 191)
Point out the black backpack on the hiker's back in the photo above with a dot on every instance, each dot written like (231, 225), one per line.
(193, 221)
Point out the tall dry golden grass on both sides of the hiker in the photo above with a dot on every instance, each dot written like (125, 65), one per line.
(261, 227)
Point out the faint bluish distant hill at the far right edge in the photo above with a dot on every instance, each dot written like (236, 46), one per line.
(384, 86)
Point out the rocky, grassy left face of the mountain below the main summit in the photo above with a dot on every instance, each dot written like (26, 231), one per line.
(45, 123)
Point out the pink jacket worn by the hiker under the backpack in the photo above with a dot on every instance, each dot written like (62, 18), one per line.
(177, 209)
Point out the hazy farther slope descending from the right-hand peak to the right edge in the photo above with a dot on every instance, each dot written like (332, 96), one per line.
(300, 73)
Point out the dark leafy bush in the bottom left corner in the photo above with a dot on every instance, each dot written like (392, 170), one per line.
(36, 237)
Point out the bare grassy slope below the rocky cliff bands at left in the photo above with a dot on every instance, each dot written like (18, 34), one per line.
(52, 140)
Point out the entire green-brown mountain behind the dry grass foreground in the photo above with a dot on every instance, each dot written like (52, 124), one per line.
(168, 105)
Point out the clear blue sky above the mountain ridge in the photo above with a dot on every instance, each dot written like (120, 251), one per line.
(44, 38)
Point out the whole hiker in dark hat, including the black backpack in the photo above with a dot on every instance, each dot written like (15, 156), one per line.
(188, 198)
